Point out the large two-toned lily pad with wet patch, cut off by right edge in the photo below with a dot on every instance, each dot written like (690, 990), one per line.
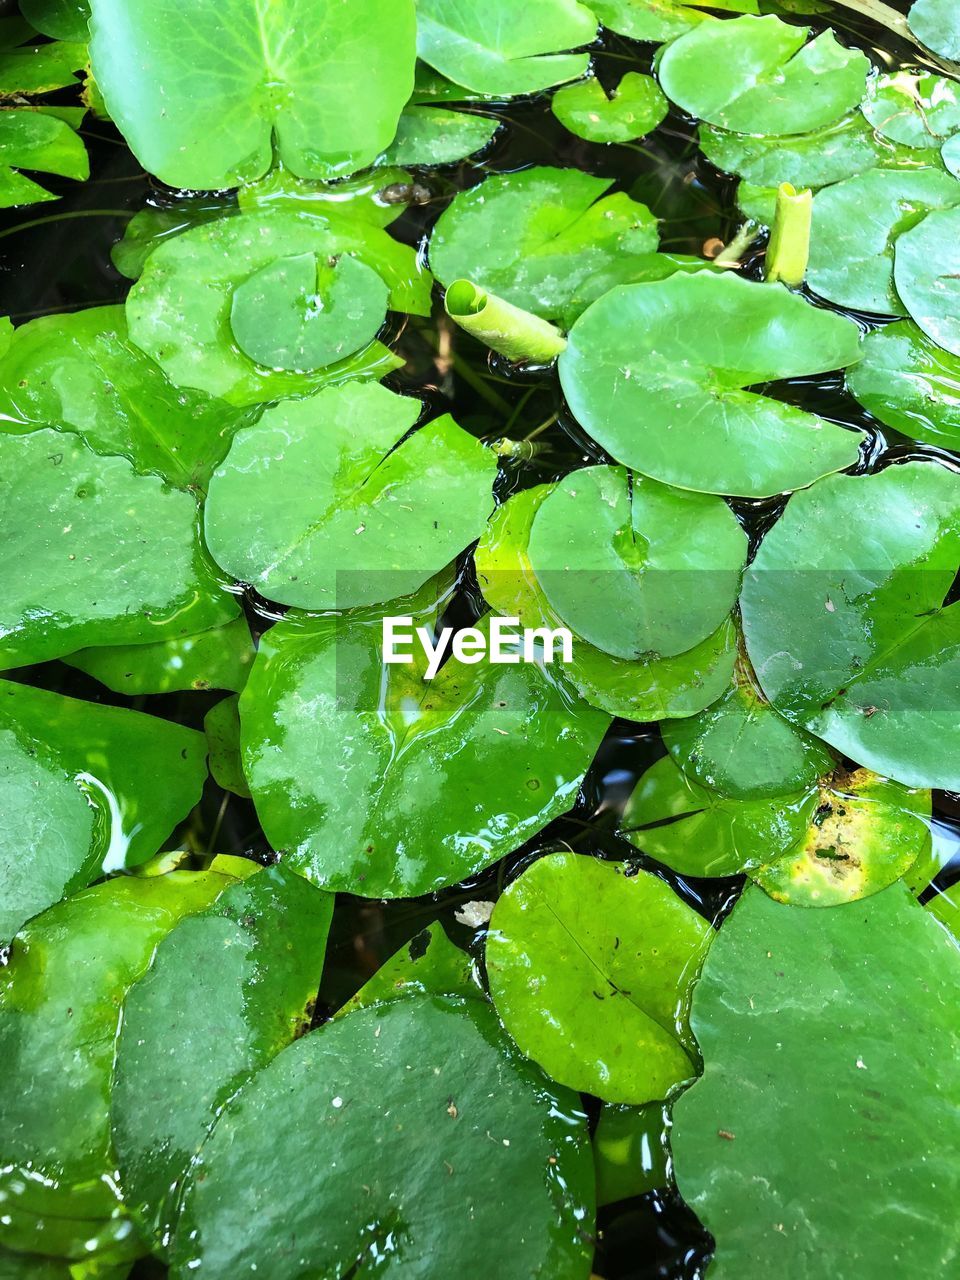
(844, 620)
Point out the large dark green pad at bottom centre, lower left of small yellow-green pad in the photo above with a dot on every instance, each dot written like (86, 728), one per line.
(458, 1098)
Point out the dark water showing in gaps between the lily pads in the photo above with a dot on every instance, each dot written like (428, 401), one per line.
(57, 258)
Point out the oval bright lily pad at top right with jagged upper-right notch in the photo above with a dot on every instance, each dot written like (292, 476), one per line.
(758, 76)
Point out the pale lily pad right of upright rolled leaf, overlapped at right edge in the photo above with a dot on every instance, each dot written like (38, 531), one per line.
(856, 227)
